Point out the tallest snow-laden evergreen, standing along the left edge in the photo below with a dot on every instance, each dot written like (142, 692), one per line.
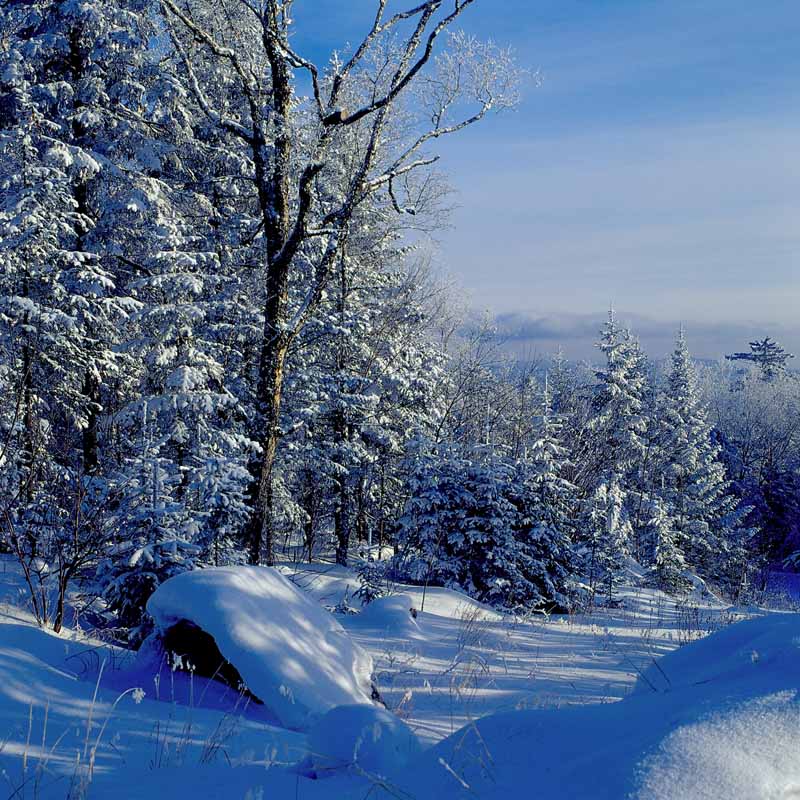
(61, 302)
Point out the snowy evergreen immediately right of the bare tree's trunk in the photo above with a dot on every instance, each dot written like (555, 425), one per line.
(360, 387)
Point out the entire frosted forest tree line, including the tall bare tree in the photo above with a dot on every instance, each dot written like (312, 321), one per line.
(220, 341)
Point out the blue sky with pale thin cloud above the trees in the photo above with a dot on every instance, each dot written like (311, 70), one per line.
(656, 167)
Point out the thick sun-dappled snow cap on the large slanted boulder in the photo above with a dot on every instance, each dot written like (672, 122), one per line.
(291, 653)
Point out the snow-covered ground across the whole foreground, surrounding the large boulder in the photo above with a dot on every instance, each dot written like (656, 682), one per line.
(501, 706)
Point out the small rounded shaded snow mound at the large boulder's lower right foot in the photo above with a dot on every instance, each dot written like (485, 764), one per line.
(368, 737)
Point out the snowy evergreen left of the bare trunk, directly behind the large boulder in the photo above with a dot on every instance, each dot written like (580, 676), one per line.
(183, 474)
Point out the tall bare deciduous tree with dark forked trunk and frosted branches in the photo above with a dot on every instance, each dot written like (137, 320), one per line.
(360, 138)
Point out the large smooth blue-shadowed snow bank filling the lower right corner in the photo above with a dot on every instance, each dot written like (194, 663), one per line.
(717, 718)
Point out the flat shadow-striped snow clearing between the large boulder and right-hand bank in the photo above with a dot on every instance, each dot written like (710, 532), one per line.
(461, 660)
